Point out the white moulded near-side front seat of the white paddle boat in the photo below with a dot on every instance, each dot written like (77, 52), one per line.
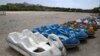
(28, 44)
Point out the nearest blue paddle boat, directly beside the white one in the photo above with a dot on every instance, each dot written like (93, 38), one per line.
(67, 38)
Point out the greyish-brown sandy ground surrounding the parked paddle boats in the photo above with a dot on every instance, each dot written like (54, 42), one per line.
(17, 21)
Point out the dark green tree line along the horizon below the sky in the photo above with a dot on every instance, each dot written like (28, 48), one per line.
(31, 7)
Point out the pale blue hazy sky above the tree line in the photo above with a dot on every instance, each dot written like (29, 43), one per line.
(83, 4)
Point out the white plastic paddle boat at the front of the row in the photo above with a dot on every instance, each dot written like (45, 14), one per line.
(32, 44)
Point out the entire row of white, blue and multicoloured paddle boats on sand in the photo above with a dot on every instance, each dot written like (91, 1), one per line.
(52, 40)
